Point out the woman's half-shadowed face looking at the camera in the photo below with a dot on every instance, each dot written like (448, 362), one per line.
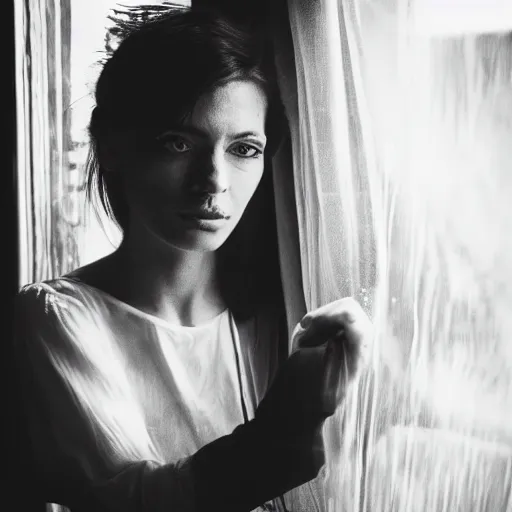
(191, 189)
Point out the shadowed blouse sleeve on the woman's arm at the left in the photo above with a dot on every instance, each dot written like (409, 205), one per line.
(64, 456)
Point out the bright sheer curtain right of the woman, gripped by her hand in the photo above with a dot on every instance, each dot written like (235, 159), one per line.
(400, 139)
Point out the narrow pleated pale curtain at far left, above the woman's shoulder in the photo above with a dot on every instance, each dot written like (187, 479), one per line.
(43, 92)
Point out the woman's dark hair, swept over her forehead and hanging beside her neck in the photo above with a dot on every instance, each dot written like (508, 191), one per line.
(192, 51)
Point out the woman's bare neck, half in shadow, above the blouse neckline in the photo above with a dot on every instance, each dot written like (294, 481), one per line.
(178, 286)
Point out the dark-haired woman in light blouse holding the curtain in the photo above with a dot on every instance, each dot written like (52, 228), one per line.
(150, 377)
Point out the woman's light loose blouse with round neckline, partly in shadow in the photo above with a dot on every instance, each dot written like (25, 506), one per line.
(117, 400)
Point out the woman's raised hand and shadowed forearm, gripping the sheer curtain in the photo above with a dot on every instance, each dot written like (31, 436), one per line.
(329, 347)
